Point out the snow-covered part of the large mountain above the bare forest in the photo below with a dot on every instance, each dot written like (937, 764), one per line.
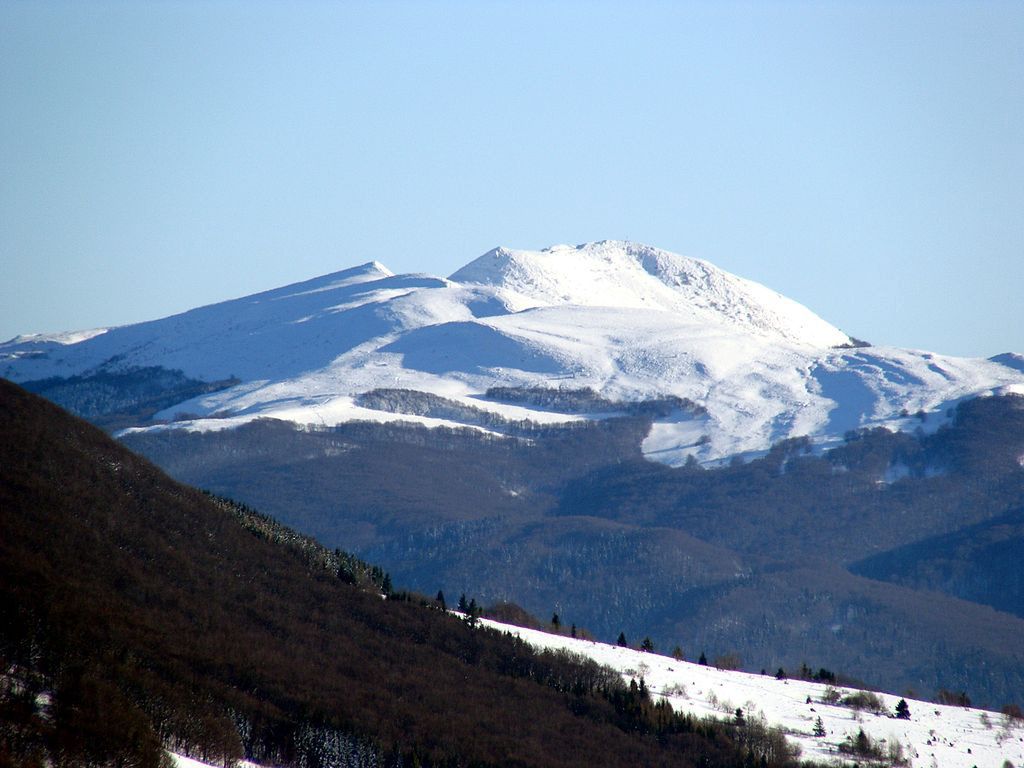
(628, 321)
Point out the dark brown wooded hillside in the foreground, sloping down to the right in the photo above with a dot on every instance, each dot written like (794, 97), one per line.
(138, 614)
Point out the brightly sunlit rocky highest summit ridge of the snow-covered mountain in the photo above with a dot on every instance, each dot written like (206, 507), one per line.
(629, 275)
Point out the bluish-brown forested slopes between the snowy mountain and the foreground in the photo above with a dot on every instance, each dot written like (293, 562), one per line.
(792, 559)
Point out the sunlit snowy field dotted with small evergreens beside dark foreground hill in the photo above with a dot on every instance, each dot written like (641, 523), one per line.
(935, 736)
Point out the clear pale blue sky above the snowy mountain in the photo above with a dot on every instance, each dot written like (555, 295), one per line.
(866, 159)
